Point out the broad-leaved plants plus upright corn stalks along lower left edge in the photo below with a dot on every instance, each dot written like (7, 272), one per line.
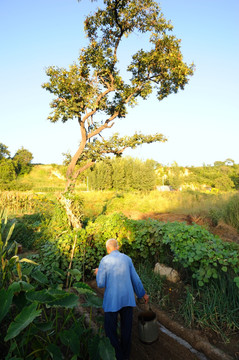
(36, 318)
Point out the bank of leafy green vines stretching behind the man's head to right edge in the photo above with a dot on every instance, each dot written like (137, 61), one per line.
(190, 247)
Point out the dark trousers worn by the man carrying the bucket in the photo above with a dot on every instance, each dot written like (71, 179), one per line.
(122, 346)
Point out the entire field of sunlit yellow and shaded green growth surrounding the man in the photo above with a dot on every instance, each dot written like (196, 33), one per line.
(42, 257)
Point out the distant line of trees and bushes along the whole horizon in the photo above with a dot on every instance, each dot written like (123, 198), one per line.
(129, 174)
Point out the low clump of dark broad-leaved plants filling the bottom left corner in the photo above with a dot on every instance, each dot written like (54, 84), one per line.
(42, 322)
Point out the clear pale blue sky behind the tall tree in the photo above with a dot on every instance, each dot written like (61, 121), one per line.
(201, 122)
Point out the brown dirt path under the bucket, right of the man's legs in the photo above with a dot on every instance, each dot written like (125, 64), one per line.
(174, 342)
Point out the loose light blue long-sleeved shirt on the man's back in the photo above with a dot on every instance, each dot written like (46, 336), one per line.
(118, 276)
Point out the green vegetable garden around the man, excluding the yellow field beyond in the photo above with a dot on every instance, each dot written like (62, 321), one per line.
(38, 316)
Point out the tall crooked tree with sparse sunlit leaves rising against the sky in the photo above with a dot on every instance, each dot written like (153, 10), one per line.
(93, 92)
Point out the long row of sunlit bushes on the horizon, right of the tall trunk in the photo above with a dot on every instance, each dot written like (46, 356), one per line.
(134, 174)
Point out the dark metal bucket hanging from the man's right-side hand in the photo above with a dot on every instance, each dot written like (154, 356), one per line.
(148, 328)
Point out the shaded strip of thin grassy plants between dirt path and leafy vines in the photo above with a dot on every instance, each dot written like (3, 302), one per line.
(214, 306)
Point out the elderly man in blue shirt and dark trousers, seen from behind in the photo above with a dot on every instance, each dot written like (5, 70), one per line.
(116, 273)
